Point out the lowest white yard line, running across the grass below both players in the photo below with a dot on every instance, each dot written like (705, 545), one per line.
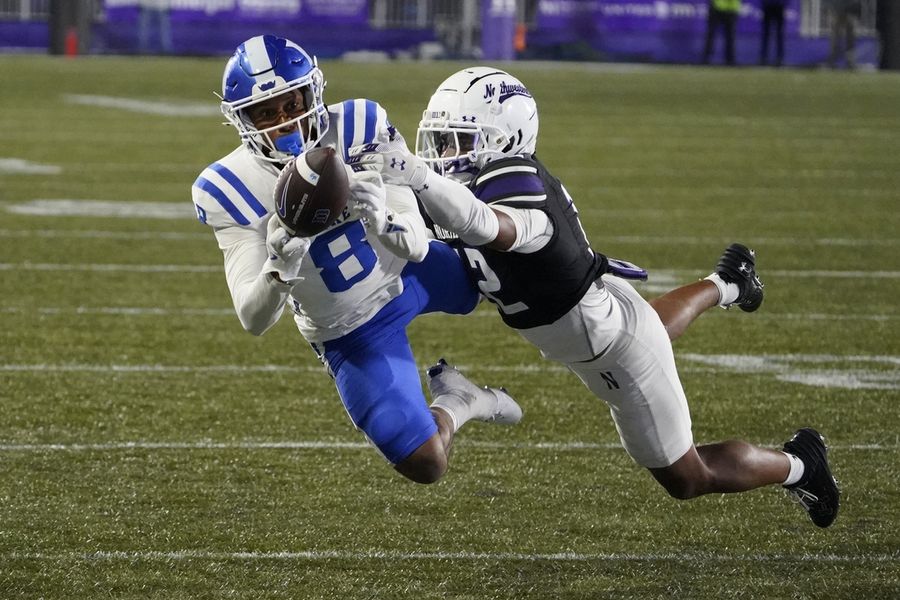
(394, 555)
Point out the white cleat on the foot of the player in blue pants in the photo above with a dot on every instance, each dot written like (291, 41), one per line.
(493, 405)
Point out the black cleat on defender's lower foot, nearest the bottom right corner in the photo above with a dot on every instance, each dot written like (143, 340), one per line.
(817, 490)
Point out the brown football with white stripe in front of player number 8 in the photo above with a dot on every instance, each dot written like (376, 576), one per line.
(311, 192)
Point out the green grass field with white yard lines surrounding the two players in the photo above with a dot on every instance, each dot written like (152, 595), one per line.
(149, 448)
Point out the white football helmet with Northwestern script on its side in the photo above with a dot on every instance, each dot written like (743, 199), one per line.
(476, 115)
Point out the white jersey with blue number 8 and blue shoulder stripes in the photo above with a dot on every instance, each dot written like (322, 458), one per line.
(347, 278)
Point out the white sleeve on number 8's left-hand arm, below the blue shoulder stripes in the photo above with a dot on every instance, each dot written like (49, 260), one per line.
(258, 298)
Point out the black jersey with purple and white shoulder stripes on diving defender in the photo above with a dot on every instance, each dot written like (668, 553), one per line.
(537, 288)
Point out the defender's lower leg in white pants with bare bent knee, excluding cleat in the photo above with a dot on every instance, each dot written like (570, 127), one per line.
(638, 379)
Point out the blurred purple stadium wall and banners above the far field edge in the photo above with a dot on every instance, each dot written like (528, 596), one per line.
(667, 31)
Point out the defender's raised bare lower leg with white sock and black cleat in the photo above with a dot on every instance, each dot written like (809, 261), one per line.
(733, 282)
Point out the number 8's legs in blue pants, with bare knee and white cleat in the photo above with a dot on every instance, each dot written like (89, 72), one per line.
(378, 381)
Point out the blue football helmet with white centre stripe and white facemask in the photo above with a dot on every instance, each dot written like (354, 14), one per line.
(265, 67)
